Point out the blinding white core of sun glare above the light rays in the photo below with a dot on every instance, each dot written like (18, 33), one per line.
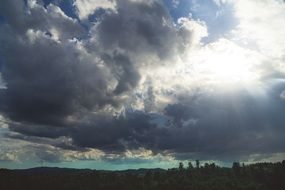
(226, 66)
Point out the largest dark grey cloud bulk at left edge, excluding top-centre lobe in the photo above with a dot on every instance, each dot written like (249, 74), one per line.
(46, 80)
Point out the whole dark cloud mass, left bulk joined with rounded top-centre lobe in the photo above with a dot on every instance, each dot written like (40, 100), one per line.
(47, 80)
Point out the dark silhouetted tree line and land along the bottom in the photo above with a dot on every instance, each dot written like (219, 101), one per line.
(209, 176)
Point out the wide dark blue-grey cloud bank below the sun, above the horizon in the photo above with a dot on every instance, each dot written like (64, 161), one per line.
(226, 127)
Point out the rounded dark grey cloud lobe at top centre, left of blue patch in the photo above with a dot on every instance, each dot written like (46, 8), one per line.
(140, 28)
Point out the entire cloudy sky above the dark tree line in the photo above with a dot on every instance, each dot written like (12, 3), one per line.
(120, 84)
